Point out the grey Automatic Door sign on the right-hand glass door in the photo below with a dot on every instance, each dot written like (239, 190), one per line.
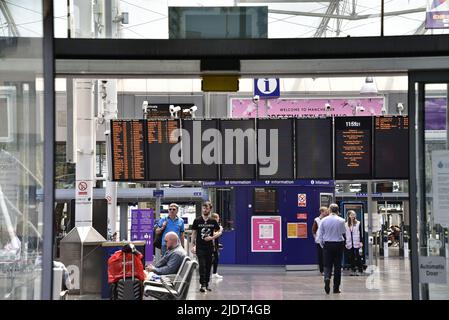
(432, 270)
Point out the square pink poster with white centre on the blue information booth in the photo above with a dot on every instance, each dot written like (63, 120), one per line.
(266, 234)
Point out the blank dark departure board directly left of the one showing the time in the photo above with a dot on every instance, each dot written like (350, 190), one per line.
(314, 148)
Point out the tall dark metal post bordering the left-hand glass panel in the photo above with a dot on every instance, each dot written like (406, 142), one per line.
(49, 158)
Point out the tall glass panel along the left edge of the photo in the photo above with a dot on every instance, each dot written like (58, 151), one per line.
(21, 150)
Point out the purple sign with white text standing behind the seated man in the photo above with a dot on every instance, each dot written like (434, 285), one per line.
(142, 223)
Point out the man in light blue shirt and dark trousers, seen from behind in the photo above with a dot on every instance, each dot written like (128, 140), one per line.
(331, 237)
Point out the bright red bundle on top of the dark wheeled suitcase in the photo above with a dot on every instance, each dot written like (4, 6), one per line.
(115, 266)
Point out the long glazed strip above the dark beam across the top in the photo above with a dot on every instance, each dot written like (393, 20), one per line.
(158, 19)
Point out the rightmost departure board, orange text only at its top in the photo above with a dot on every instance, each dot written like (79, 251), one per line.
(391, 157)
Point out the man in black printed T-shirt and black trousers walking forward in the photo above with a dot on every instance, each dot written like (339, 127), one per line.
(203, 229)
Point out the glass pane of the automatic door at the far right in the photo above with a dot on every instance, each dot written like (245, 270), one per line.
(434, 220)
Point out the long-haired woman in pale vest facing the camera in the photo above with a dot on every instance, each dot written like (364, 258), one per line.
(354, 242)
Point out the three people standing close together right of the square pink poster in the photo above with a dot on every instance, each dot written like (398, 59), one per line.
(333, 235)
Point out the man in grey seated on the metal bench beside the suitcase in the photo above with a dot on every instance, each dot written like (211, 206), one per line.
(171, 260)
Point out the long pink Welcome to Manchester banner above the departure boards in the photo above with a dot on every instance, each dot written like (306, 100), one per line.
(310, 107)
